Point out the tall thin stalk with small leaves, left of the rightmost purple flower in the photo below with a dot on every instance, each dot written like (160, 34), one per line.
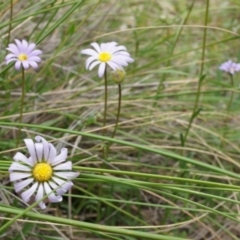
(195, 108)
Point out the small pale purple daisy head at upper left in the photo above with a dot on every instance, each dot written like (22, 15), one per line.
(23, 53)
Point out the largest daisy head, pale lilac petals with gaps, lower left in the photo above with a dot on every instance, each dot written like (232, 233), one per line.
(42, 173)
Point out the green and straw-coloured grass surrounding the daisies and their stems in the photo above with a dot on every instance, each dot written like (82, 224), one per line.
(153, 185)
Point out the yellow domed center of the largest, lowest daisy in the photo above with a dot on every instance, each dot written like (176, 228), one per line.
(42, 172)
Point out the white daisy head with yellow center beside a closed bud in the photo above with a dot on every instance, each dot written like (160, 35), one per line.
(115, 56)
